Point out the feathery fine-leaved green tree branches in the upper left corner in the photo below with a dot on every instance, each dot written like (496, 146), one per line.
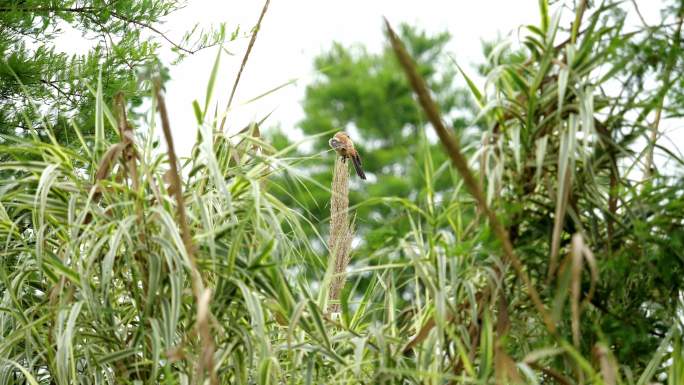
(38, 81)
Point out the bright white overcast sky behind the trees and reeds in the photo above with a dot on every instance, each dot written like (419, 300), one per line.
(295, 31)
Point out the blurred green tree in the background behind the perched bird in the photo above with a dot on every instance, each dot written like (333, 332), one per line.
(365, 94)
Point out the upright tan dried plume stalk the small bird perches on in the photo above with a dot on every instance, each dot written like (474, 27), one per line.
(341, 232)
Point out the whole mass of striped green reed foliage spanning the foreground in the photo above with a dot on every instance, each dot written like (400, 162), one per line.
(116, 269)
